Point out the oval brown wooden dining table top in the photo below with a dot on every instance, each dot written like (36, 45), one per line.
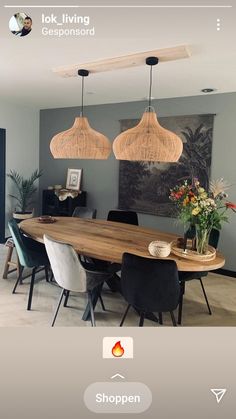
(108, 240)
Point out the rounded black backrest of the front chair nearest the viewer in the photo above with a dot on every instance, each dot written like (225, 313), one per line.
(150, 285)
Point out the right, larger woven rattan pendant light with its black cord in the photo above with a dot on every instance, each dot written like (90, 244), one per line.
(148, 140)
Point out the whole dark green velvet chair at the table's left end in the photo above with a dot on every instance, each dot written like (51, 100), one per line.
(31, 255)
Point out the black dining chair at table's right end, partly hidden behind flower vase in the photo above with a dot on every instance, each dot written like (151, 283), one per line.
(188, 276)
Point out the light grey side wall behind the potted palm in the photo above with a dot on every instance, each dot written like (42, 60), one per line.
(22, 143)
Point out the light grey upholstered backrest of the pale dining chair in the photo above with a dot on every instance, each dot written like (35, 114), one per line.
(66, 266)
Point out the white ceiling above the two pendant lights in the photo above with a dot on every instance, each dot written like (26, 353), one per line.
(26, 75)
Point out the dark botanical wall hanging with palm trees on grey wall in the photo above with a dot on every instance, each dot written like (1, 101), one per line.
(145, 186)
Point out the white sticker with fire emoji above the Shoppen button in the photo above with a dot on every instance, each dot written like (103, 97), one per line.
(118, 347)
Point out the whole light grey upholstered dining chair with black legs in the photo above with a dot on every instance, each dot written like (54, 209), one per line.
(73, 275)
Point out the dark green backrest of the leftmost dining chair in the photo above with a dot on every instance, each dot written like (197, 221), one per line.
(25, 256)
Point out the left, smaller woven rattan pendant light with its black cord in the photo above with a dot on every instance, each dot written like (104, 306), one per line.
(80, 141)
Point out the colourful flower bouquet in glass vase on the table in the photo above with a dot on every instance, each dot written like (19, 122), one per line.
(202, 209)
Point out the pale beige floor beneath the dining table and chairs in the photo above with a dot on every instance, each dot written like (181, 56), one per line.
(221, 292)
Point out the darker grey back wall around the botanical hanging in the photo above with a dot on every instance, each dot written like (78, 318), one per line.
(100, 178)
